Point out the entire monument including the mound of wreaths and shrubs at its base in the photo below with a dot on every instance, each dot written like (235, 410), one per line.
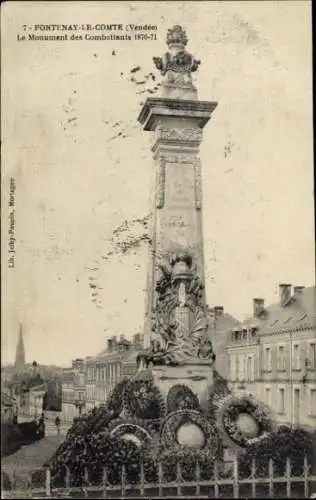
(176, 409)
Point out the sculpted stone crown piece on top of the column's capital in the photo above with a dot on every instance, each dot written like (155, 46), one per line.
(177, 64)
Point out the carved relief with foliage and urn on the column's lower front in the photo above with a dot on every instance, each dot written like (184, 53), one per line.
(180, 323)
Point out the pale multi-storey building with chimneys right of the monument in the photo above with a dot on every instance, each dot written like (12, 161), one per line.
(273, 355)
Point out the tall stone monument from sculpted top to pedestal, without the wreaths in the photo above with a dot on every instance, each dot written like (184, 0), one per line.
(176, 320)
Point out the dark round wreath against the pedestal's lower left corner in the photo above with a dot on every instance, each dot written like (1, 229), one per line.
(143, 400)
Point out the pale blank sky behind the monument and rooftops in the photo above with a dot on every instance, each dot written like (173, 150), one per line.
(82, 165)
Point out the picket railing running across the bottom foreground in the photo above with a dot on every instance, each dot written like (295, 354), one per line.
(255, 485)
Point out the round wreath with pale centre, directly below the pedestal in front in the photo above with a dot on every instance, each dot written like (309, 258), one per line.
(174, 422)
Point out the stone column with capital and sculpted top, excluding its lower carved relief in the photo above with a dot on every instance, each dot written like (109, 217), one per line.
(176, 119)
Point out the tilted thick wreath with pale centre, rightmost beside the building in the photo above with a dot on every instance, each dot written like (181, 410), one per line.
(228, 412)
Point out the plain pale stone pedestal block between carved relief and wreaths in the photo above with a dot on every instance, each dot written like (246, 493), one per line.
(197, 376)
